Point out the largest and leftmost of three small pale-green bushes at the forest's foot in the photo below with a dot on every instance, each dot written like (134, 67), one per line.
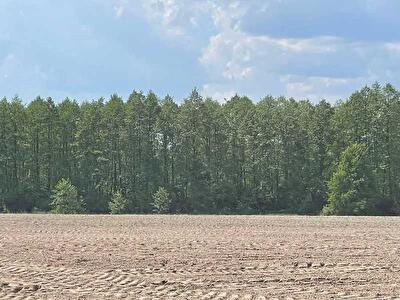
(65, 199)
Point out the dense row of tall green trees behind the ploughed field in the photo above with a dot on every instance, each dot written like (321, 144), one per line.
(201, 156)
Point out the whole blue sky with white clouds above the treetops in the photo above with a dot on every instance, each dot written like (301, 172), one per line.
(306, 49)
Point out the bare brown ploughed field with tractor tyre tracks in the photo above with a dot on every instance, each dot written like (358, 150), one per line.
(198, 257)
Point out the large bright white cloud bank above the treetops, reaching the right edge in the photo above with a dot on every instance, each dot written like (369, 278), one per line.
(317, 67)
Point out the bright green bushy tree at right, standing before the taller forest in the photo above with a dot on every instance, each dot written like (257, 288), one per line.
(351, 190)
